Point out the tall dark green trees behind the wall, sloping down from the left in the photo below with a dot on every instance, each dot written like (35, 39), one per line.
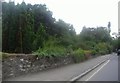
(26, 27)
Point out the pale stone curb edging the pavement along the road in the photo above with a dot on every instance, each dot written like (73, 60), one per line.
(86, 72)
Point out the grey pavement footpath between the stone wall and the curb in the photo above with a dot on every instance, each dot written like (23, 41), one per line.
(64, 73)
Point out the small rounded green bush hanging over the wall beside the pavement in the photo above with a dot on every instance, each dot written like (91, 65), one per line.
(79, 55)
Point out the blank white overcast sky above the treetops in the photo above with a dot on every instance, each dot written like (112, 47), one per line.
(89, 13)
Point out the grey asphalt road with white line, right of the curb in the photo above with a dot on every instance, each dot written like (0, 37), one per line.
(108, 71)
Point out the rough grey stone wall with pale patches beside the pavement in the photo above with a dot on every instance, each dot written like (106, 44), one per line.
(18, 64)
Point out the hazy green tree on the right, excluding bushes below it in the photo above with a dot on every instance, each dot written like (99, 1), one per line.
(89, 37)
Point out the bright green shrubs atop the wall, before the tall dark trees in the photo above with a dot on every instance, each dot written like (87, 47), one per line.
(51, 49)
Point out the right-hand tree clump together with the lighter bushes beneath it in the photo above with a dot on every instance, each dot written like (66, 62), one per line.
(98, 40)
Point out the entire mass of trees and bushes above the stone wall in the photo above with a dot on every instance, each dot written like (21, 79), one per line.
(30, 28)
